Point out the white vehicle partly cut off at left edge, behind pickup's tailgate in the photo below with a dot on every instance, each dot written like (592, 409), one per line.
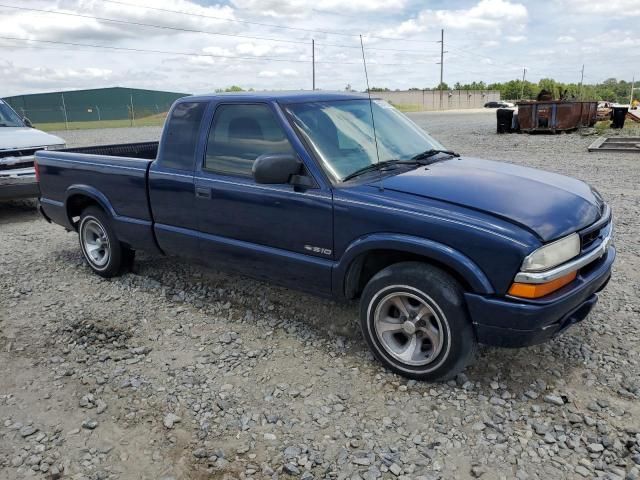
(18, 143)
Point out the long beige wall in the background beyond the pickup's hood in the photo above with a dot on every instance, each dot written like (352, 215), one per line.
(430, 99)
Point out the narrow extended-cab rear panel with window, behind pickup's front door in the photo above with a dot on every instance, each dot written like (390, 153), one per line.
(171, 181)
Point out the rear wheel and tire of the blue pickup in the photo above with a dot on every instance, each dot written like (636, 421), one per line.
(100, 247)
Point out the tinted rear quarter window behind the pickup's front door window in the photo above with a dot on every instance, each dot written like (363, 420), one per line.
(181, 139)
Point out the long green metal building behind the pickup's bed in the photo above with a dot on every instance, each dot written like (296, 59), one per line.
(117, 103)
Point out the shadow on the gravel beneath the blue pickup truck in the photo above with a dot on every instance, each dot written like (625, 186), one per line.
(202, 286)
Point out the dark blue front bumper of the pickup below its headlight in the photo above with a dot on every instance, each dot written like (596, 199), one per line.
(512, 322)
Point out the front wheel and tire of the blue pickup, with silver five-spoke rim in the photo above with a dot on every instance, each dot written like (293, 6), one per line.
(415, 321)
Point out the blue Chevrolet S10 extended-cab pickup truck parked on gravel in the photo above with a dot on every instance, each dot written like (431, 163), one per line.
(443, 251)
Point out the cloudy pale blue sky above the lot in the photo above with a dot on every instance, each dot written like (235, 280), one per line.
(266, 44)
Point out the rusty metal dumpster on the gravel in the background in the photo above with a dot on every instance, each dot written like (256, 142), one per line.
(556, 115)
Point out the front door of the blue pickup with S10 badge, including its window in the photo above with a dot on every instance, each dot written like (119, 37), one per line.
(277, 232)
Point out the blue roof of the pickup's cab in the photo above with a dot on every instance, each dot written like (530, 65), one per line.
(297, 96)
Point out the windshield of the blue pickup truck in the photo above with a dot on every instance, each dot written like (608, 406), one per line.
(341, 133)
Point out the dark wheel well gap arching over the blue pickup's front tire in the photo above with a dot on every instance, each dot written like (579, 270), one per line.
(365, 266)
